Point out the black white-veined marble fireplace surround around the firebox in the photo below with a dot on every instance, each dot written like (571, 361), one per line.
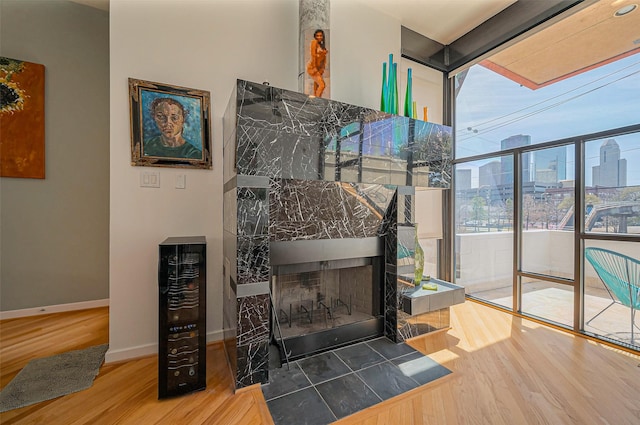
(311, 180)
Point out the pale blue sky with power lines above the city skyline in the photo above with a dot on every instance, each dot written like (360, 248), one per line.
(491, 108)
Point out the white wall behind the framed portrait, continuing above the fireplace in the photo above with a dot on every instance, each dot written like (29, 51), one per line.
(207, 44)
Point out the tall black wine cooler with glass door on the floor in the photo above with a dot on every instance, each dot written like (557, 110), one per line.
(182, 281)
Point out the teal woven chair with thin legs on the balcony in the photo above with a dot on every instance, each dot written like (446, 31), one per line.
(620, 275)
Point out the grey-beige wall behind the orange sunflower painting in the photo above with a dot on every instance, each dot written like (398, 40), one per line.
(55, 231)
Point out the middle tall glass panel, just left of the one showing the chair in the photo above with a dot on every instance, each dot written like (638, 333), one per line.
(547, 199)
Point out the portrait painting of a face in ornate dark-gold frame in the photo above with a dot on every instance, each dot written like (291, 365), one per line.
(170, 125)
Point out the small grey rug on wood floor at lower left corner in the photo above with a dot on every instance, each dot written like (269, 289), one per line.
(51, 377)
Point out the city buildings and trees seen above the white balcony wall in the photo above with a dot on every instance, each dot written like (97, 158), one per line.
(548, 193)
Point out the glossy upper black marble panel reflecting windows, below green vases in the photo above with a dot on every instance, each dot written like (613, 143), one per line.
(285, 134)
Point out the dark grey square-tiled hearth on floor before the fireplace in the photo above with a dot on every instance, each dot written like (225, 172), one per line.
(329, 386)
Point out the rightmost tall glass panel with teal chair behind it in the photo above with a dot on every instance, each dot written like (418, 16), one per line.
(611, 194)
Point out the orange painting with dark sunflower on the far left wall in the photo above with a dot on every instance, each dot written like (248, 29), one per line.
(21, 119)
